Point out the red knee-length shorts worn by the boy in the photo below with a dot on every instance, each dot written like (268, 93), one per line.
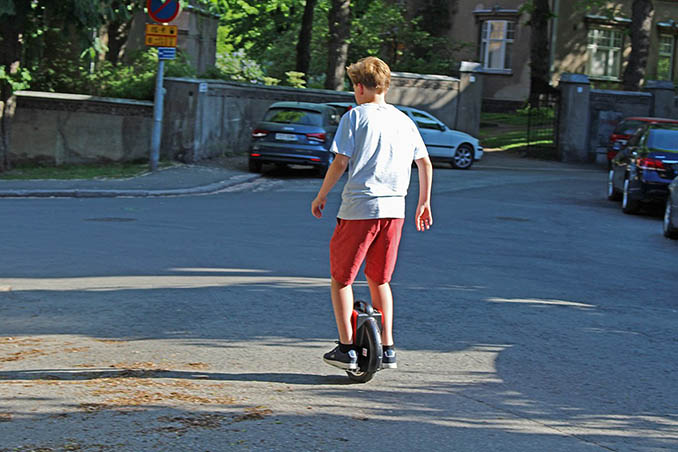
(373, 241)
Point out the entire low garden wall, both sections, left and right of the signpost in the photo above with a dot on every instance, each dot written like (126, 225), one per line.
(203, 119)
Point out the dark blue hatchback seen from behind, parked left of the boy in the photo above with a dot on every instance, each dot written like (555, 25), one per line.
(294, 133)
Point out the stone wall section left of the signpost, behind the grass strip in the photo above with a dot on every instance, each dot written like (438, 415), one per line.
(67, 128)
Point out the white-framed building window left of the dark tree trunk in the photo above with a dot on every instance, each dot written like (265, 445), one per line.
(496, 42)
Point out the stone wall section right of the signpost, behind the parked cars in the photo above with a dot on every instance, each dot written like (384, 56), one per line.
(207, 118)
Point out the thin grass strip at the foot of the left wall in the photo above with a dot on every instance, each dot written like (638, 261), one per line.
(90, 171)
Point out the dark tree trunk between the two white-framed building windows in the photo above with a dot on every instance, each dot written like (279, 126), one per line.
(540, 70)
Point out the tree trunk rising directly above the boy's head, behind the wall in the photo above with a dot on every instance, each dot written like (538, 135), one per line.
(340, 28)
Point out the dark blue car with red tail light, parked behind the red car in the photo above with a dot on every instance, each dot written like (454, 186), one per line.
(642, 171)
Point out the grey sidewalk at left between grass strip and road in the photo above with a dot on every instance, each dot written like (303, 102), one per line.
(181, 179)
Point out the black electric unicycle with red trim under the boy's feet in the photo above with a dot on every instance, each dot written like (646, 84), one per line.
(367, 323)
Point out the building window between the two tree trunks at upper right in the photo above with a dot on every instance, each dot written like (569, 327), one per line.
(604, 53)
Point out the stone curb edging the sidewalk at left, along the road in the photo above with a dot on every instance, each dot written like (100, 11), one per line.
(123, 193)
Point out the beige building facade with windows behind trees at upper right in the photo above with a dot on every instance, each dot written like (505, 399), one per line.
(595, 42)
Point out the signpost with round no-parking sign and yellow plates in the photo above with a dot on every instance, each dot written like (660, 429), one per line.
(164, 37)
